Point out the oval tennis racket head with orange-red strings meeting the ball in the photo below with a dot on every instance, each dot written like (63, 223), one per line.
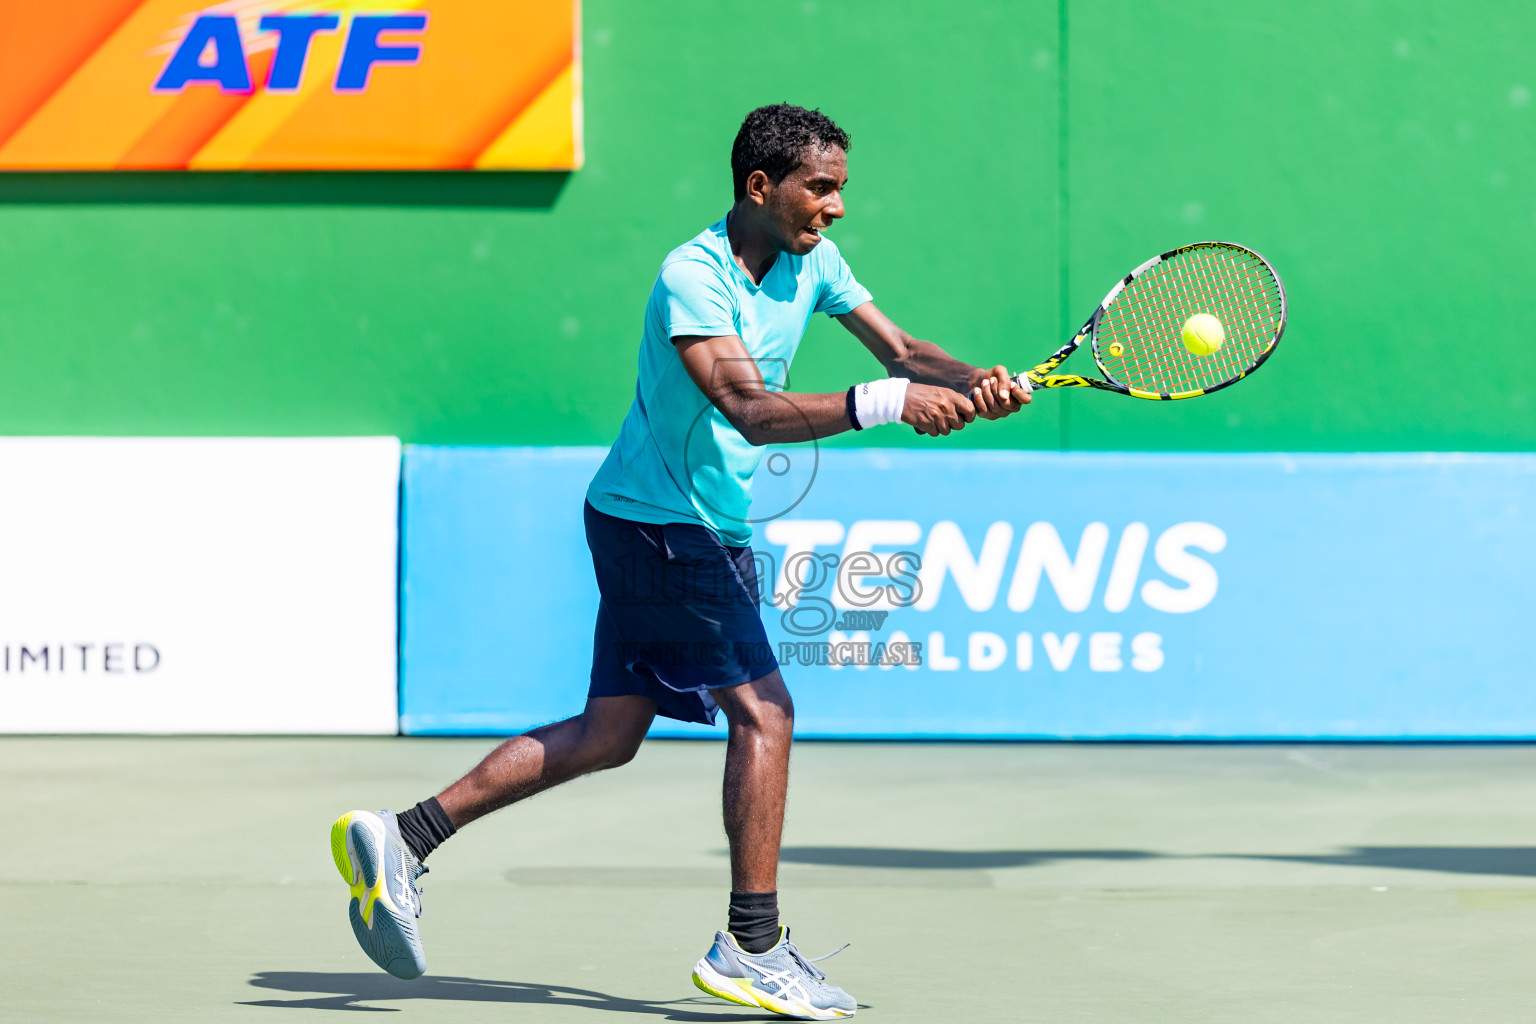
(1137, 337)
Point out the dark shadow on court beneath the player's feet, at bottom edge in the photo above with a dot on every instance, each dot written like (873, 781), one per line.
(349, 991)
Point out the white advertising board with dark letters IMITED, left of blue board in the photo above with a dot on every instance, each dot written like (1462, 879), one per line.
(199, 586)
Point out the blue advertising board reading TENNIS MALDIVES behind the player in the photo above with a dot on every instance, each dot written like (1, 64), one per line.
(1024, 595)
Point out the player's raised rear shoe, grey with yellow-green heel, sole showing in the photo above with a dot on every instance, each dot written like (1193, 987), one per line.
(386, 934)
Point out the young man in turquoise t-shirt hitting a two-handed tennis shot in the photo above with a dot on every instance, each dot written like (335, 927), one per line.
(727, 311)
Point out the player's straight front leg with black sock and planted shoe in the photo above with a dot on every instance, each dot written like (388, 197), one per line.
(755, 963)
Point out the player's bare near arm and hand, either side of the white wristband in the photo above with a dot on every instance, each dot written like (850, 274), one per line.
(729, 377)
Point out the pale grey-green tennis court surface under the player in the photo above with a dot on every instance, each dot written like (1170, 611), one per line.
(190, 880)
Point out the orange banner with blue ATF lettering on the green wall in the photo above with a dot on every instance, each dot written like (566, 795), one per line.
(286, 85)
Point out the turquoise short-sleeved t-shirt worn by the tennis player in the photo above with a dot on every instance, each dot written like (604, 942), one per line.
(678, 460)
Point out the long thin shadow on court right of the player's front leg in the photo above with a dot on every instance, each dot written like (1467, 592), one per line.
(1458, 860)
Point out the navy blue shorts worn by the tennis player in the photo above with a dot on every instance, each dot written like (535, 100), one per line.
(678, 616)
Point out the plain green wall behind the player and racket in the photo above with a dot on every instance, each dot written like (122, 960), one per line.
(1010, 162)
